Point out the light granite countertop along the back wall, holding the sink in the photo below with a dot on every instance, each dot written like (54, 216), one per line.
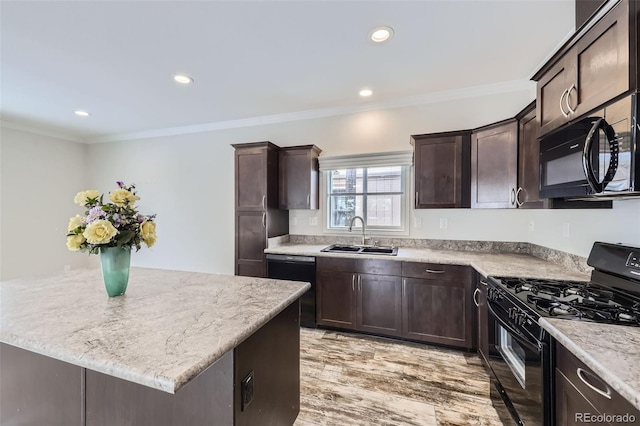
(505, 264)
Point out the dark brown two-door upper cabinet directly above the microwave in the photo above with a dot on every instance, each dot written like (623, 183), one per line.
(593, 67)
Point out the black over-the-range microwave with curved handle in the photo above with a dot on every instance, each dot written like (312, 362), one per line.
(595, 157)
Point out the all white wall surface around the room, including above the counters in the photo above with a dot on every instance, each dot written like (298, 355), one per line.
(188, 181)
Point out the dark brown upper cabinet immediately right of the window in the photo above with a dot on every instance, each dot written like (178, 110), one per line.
(442, 169)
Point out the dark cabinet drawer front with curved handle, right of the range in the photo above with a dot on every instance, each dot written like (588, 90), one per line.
(584, 380)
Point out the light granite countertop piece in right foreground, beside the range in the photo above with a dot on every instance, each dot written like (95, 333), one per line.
(611, 351)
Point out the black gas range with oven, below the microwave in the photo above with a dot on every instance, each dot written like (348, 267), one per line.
(519, 348)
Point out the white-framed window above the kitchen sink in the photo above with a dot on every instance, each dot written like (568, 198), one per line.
(377, 194)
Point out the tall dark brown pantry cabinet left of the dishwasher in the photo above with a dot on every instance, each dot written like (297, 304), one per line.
(257, 216)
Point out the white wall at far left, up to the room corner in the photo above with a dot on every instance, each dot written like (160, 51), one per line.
(39, 176)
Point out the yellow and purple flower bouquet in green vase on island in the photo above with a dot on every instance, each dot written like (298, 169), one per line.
(112, 229)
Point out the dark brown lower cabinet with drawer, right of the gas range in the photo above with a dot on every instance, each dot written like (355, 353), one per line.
(581, 395)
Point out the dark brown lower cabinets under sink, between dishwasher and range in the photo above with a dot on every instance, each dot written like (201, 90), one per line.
(418, 301)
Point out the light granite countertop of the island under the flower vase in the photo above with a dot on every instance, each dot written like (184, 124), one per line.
(168, 328)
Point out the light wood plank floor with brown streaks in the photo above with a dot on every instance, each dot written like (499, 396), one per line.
(347, 379)
